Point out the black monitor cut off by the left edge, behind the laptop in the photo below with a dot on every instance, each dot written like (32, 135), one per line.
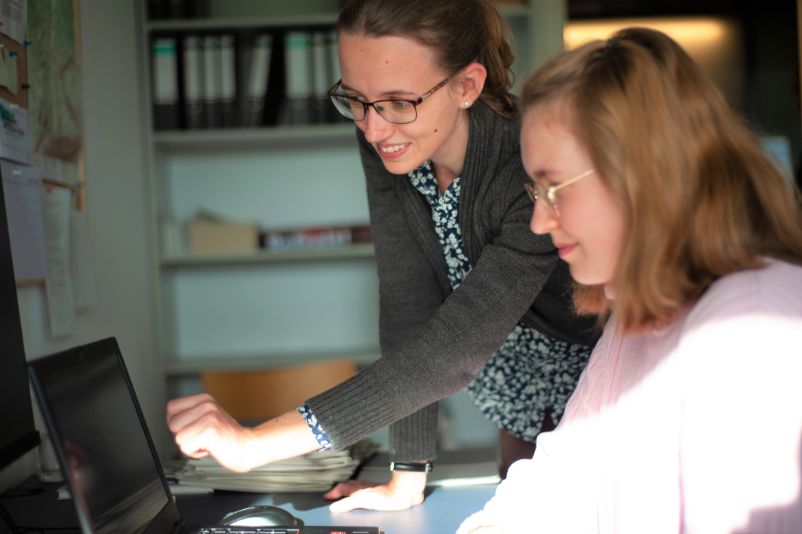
(18, 434)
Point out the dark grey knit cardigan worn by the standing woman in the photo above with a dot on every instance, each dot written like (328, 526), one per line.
(434, 340)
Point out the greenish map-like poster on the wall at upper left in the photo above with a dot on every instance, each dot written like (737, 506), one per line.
(54, 76)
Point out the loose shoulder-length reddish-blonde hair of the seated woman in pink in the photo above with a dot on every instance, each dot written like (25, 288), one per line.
(700, 197)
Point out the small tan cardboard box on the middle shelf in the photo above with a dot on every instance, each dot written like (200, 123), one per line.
(207, 237)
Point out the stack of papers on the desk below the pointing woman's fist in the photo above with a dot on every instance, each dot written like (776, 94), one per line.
(316, 471)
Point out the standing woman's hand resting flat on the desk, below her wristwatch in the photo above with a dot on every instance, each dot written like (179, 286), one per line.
(404, 490)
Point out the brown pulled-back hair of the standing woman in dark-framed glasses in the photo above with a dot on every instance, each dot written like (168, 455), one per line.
(460, 31)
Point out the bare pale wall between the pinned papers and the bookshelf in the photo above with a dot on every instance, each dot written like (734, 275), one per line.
(117, 205)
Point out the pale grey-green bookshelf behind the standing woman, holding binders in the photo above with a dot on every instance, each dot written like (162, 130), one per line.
(261, 309)
